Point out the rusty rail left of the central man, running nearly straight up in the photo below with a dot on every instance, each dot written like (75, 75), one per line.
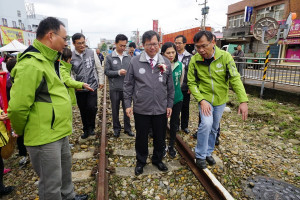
(102, 183)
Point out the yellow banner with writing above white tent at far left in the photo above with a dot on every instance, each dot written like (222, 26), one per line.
(10, 34)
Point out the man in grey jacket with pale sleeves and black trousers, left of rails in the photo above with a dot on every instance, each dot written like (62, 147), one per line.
(86, 68)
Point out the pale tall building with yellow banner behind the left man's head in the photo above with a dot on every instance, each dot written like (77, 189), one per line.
(19, 21)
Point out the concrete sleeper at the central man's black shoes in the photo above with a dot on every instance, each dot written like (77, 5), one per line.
(148, 169)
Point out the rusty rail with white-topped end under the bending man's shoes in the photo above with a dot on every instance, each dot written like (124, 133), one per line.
(213, 187)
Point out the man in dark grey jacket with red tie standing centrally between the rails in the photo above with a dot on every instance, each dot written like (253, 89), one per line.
(149, 84)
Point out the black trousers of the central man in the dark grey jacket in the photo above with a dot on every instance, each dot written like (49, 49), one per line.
(143, 123)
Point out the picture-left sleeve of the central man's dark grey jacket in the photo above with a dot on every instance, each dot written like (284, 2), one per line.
(128, 86)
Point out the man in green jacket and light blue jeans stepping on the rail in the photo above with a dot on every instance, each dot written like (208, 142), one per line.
(210, 72)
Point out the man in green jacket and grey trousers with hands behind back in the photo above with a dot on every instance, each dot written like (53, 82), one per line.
(40, 109)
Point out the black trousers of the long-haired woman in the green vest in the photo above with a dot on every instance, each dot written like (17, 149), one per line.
(174, 122)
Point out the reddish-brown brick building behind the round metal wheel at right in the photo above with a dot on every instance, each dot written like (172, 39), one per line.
(239, 32)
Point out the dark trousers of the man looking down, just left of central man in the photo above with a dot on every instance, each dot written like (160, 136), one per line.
(116, 97)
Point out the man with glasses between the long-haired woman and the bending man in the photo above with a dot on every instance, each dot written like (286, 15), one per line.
(184, 56)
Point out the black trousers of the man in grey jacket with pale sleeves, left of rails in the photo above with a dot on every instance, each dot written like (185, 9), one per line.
(87, 103)
